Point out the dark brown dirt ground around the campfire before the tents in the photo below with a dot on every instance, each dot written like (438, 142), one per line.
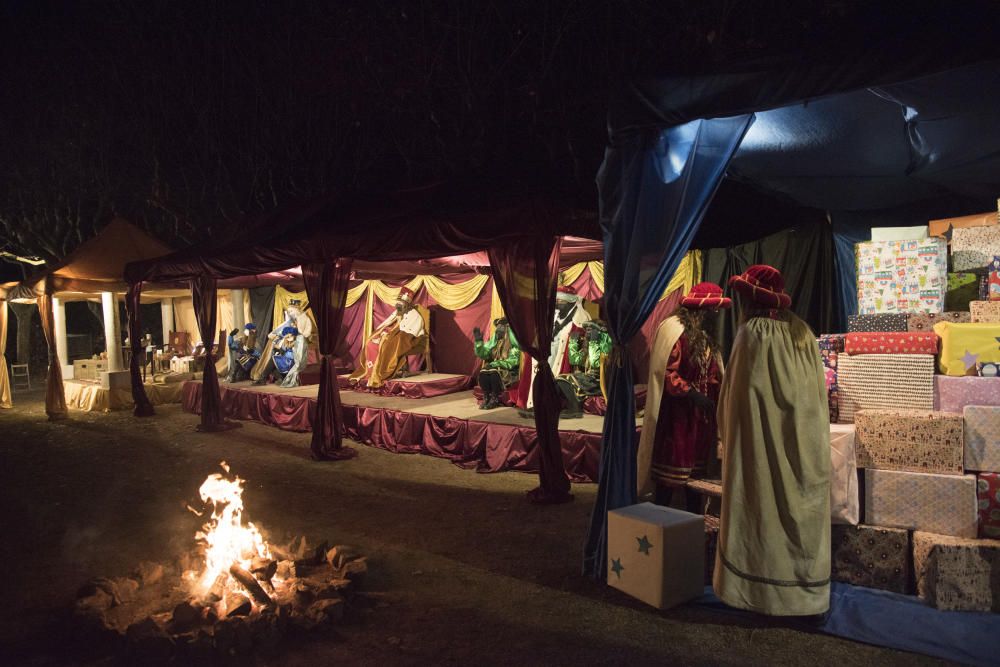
(472, 572)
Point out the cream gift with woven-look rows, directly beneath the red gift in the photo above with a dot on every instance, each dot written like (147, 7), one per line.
(884, 381)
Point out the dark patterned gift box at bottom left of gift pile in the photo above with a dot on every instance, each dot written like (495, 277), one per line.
(871, 556)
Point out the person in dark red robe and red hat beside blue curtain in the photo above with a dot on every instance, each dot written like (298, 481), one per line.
(686, 432)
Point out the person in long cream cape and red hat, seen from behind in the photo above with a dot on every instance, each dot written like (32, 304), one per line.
(774, 539)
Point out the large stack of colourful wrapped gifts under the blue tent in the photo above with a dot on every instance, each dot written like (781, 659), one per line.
(915, 382)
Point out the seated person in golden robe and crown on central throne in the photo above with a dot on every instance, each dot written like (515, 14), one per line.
(384, 353)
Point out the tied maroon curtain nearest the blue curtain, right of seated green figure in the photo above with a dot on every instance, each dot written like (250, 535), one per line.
(526, 273)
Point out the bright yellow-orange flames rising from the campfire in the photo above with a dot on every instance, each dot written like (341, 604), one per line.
(227, 540)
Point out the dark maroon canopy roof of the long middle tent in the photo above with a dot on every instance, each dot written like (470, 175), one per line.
(451, 225)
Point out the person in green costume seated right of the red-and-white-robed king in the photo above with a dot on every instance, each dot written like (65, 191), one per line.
(586, 356)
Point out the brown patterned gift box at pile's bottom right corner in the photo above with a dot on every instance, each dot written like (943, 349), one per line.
(957, 574)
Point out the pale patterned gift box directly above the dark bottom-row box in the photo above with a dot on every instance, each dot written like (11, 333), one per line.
(943, 504)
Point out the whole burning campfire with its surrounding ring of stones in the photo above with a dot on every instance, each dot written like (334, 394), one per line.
(235, 594)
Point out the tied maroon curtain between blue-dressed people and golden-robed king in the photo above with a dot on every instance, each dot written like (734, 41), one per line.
(326, 286)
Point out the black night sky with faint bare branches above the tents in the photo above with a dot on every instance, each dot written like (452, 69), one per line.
(186, 116)
